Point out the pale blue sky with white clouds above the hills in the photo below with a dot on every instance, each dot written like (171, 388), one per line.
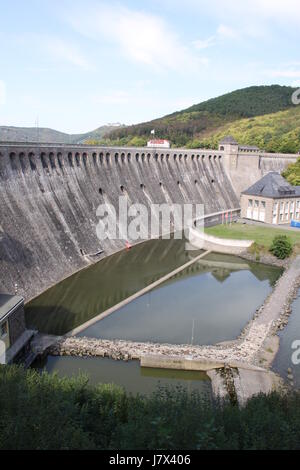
(74, 65)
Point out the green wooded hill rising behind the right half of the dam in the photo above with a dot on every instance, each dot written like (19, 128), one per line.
(204, 124)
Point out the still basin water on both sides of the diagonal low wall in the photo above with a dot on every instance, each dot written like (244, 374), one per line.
(198, 292)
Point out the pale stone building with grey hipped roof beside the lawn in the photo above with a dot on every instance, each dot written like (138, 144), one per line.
(271, 200)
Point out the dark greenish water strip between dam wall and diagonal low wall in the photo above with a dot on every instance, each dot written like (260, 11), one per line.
(93, 290)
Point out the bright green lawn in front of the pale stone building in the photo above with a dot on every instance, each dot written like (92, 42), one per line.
(261, 235)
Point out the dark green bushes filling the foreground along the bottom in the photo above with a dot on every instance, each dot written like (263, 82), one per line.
(45, 412)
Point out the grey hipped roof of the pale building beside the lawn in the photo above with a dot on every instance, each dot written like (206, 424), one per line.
(273, 185)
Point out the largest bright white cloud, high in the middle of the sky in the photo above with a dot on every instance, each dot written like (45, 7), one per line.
(143, 38)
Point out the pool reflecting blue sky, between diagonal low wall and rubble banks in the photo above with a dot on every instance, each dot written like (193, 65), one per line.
(205, 305)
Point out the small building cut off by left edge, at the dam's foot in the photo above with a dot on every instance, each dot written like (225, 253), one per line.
(14, 337)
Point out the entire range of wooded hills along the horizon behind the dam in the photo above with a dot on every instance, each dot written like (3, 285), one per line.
(260, 115)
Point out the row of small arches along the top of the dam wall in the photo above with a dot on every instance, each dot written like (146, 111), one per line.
(57, 156)
